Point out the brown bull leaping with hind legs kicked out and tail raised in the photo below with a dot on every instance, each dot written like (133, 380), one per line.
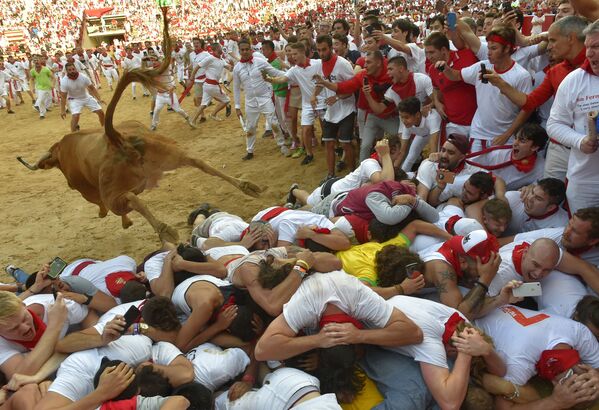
(110, 168)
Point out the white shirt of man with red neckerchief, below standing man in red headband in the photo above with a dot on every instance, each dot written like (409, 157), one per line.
(513, 178)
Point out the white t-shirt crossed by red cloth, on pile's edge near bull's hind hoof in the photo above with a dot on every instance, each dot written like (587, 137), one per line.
(288, 222)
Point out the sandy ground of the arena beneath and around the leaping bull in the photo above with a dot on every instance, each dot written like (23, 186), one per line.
(43, 218)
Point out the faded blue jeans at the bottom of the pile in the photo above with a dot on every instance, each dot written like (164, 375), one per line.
(399, 380)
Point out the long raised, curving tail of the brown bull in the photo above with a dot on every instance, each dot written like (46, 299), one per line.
(148, 77)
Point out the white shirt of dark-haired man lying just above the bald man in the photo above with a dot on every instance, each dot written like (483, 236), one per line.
(522, 222)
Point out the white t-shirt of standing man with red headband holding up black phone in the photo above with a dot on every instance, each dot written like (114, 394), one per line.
(495, 112)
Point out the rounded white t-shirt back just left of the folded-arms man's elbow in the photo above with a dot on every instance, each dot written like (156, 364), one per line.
(213, 366)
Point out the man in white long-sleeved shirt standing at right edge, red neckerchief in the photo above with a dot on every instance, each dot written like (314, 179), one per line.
(573, 123)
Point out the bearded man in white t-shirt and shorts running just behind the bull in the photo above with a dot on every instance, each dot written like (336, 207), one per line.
(77, 88)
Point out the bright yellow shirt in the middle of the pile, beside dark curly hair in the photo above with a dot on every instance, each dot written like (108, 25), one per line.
(359, 260)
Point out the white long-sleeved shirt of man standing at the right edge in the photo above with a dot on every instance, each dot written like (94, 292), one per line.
(576, 96)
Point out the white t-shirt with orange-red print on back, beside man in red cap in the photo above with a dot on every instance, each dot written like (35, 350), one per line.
(521, 335)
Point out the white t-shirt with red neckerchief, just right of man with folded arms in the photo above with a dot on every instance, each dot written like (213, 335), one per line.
(431, 318)
